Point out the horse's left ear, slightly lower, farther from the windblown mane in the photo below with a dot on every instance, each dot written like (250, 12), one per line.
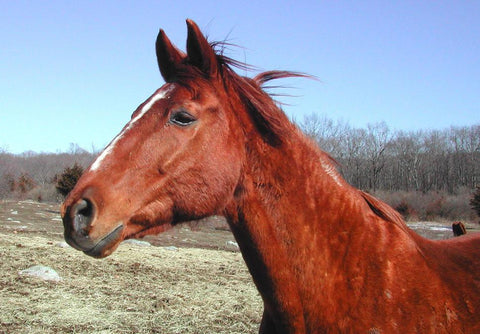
(168, 57)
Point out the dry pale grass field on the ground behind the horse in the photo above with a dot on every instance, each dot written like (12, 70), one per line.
(193, 281)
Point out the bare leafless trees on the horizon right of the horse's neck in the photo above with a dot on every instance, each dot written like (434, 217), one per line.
(378, 158)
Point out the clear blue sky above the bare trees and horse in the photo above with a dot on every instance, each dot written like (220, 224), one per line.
(74, 71)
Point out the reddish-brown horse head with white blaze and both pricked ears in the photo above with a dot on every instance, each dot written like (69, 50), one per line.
(179, 157)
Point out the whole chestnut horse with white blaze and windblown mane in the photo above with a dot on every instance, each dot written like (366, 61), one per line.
(325, 257)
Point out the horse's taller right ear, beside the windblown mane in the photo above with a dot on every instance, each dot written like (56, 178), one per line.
(200, 53)
